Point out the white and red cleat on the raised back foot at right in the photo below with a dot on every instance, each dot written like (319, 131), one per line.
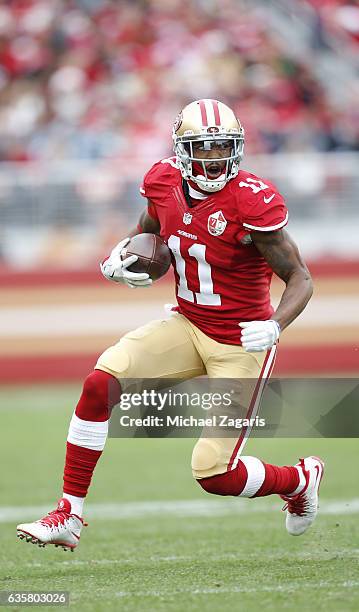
(302, 508)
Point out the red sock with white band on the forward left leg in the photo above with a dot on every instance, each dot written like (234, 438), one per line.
(88, 431)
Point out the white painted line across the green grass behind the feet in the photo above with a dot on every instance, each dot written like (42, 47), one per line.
(181, 509)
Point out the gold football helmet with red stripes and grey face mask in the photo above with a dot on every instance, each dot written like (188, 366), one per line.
(207, 121)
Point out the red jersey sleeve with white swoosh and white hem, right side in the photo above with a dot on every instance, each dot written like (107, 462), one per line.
(265, 212)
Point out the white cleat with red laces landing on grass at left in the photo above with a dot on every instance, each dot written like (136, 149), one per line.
(59, 527)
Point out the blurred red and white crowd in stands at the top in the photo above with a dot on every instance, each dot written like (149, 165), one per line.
(102, 78)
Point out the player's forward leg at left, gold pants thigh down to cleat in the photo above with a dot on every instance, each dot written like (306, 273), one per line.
(161, 349)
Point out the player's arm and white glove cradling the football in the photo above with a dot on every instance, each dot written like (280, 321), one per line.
(116, 269)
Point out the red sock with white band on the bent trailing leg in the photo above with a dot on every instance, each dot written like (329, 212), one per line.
(253, 478)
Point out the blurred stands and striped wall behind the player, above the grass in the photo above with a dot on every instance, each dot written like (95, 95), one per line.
(89, 90)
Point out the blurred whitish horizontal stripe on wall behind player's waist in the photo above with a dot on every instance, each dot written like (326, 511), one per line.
(91, 319)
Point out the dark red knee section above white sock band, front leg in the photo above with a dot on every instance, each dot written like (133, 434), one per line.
(100, 393)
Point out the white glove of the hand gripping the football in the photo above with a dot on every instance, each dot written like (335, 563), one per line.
(114, 268)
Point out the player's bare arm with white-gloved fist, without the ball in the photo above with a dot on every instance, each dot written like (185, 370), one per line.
(282, 255)
